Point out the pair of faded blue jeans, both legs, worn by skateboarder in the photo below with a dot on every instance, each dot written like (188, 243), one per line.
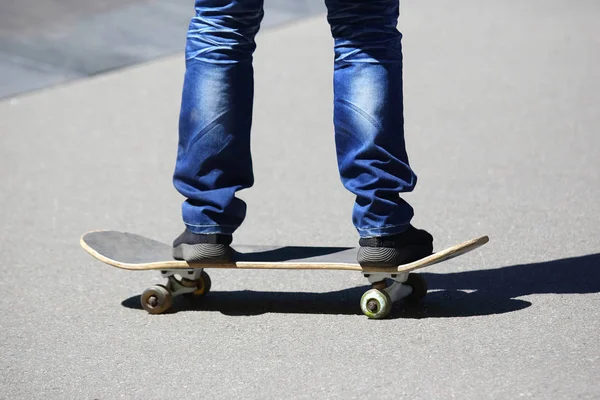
(214, 159)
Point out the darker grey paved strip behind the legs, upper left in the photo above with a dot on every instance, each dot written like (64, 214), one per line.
(47, 42)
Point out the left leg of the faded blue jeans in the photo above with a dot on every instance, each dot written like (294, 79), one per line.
(213, 158)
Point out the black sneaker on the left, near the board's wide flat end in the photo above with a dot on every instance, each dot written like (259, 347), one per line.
(192, 247)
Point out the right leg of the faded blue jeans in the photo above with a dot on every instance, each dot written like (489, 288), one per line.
(368, 113)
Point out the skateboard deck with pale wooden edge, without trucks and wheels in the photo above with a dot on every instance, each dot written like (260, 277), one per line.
(135, 252)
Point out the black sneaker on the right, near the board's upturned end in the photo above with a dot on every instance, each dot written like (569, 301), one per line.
(391, 251)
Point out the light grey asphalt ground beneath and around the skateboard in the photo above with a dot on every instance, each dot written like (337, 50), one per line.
(502, 128)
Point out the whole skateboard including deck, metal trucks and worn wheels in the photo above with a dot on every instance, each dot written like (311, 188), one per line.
(134, 252)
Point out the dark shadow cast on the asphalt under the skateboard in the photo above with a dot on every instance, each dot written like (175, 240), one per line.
(461, 294)
